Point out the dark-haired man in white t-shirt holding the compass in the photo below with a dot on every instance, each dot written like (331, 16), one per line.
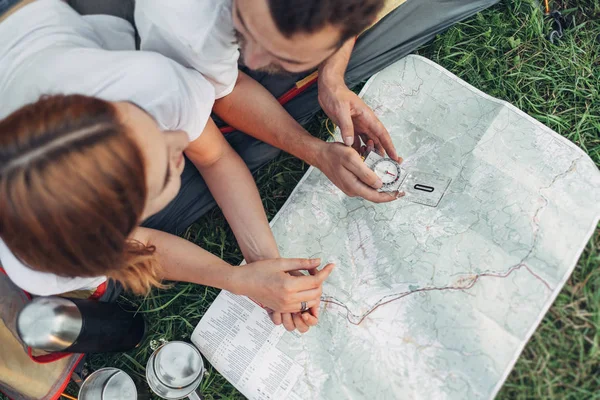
(275, 36)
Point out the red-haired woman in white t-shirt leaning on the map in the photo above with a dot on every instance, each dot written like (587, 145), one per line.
(78, 174)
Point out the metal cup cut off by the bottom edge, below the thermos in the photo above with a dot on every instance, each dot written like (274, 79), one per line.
(108, 384)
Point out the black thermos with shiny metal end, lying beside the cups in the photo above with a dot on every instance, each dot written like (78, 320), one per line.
(79, 326)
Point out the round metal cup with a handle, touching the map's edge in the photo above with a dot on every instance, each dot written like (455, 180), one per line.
(175, 370)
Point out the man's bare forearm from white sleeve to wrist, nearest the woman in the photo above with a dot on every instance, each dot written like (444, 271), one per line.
(253, 110)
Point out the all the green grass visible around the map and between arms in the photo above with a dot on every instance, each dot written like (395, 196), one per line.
(502, 51)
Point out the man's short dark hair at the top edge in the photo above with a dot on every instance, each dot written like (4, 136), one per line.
(309, 16)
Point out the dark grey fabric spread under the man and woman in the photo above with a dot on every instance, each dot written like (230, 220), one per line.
(398, 34)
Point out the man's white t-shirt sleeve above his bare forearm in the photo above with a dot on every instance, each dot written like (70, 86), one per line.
(198, 34)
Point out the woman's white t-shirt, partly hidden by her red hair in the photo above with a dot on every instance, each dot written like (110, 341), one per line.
(48, 48)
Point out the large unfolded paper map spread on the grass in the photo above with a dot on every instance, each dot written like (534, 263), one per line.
(429, 300)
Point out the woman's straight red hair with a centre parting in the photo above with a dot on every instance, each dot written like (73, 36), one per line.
(72, 190)
